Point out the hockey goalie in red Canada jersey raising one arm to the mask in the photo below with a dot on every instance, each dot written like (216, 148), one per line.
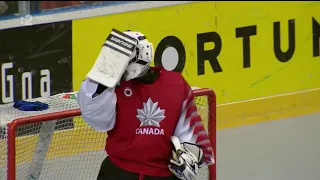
(154, 130)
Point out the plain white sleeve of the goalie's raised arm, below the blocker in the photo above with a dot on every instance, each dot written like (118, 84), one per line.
(98, 110)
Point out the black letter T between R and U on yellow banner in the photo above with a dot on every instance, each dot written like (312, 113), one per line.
(245, 33)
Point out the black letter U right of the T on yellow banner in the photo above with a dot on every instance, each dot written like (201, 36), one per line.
(281, 55)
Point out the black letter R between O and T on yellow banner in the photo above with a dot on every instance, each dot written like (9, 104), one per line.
(208, 55)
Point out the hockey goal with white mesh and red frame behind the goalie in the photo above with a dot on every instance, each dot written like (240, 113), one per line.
(57, 144)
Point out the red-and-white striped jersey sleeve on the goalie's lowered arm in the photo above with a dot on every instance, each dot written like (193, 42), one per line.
(190, 128)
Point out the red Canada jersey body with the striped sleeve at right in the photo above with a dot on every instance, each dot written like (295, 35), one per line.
(147, 115)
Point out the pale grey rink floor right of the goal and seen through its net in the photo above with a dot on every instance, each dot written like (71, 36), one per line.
(278, 150)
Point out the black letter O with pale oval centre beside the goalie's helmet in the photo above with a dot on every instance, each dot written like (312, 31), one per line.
(171, 41)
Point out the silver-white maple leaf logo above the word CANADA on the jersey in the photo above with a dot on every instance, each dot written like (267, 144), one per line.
(150, 114)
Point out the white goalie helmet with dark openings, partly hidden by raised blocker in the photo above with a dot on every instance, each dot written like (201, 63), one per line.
(140, 61)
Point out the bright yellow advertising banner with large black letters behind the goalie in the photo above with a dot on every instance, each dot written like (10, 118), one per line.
(242, 50)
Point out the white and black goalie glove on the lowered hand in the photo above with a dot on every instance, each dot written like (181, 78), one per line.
(185, 160)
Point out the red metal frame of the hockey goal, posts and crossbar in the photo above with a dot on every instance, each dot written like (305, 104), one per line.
(12, 127)
